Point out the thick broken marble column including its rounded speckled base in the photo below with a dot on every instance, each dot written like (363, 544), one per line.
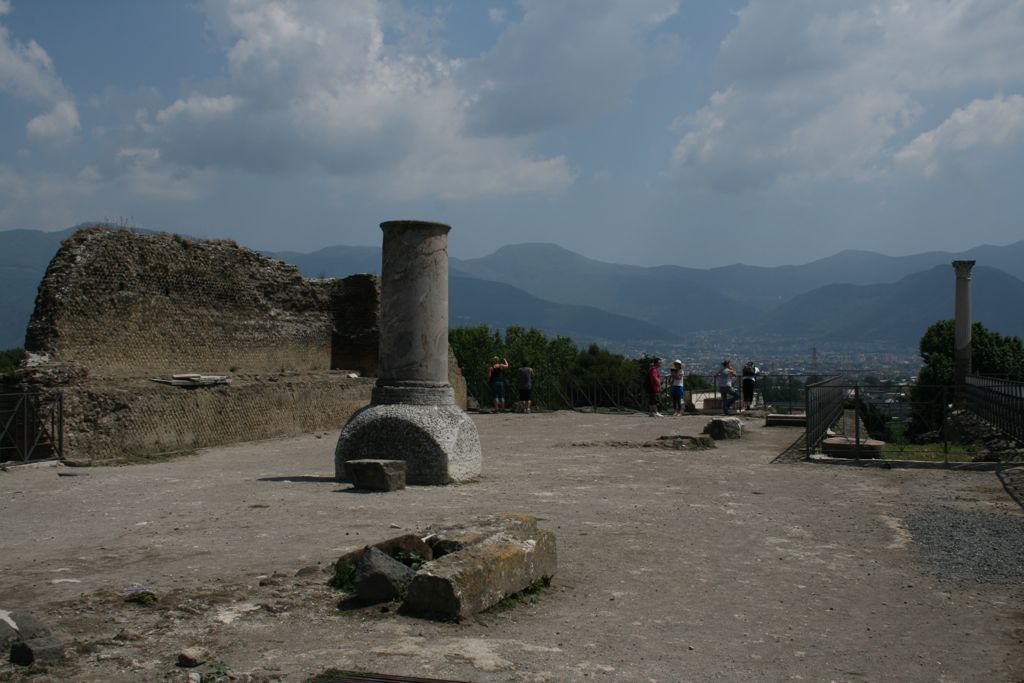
(412, 415)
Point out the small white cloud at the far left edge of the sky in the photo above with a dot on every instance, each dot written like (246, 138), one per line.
(28, 73)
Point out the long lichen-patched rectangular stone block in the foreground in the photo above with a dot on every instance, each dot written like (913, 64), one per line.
(500, 557)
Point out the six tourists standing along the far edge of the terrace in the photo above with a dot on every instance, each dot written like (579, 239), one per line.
(499, 368)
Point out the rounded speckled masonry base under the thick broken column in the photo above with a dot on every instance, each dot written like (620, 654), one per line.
(440, 444)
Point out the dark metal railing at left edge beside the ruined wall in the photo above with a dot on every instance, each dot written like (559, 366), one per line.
(31, 428)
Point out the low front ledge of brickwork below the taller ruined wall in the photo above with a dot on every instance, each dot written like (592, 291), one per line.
(108, 422)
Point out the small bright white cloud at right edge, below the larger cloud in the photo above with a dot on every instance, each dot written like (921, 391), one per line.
(984, 127)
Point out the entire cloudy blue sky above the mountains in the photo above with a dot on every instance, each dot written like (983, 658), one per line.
(688, 133)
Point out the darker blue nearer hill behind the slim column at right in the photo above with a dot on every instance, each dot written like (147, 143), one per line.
(901, 312)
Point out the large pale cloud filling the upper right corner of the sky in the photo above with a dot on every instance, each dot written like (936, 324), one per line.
(831, 92)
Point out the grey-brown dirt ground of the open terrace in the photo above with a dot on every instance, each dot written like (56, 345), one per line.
(674, 566)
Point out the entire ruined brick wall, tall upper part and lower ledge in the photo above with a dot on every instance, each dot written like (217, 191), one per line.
(117, 309)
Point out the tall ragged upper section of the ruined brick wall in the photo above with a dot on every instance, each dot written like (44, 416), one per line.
(124, 304)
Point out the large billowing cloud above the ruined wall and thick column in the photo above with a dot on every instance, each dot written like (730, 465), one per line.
(313, 87)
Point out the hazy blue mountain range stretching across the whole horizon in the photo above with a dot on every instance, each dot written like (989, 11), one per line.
(852, 296)
